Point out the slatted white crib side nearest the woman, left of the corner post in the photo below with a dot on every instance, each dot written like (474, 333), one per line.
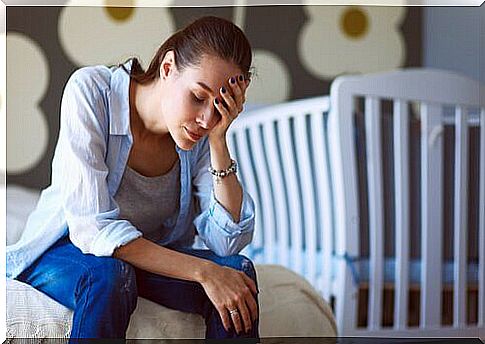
(282, 153)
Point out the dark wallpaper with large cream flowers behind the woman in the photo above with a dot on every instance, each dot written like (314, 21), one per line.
(298, 51)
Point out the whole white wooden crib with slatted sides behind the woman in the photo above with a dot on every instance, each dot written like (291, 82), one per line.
(318, 181)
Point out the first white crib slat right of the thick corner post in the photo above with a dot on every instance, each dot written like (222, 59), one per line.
(376, 217)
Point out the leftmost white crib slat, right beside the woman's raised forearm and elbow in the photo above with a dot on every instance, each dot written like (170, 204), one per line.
(247, 170)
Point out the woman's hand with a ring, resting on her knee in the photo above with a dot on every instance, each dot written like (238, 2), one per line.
(230, 289)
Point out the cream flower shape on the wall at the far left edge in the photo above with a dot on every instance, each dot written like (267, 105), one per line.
(27, 131)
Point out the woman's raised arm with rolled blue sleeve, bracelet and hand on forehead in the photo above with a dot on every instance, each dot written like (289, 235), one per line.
(226, 219)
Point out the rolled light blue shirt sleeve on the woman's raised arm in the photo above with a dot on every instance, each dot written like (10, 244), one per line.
(215, 224)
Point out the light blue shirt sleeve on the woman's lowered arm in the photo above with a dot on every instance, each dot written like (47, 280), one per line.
(91, 213)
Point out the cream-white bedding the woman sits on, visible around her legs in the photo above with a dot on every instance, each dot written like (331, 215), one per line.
(289, 305)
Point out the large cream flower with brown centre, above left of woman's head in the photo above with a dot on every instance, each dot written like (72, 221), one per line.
(113, 34)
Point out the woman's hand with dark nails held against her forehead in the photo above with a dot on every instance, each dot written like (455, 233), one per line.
(229, 104)
